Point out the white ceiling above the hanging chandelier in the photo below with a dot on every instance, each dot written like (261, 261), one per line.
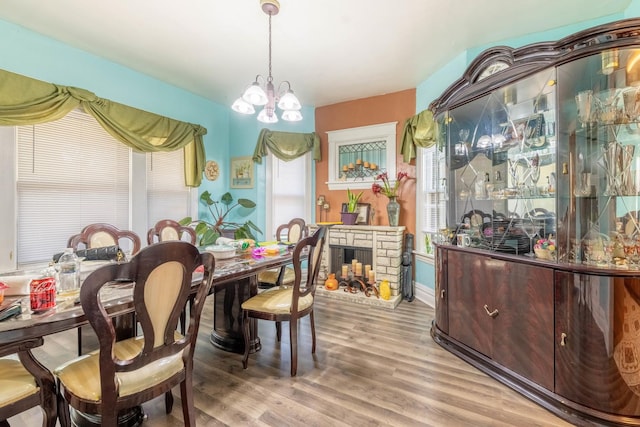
(330, 50)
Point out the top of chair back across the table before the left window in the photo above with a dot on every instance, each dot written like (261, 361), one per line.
(99, 235)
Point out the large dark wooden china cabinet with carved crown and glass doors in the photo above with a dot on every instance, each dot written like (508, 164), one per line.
(538, 270)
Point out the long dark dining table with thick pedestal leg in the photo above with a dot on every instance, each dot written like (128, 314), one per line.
(234, 280)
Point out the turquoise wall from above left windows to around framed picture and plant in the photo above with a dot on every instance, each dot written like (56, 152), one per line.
(229, 134)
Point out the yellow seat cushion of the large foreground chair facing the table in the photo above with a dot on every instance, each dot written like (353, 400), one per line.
(82, 375)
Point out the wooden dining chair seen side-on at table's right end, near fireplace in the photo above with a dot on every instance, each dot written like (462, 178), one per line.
(291, 303)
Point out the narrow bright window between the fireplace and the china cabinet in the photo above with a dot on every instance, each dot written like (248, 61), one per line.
(431, 196)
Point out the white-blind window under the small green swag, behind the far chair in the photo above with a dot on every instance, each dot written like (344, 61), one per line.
(289, 192)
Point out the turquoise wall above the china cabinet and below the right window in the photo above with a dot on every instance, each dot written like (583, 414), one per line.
(434, 85)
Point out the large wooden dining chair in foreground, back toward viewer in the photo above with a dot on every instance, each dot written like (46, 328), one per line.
(127, 373)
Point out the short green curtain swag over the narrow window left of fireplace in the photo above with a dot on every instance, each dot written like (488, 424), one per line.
(286, 145)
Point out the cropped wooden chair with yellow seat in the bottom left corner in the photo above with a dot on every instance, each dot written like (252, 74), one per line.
(25, 383)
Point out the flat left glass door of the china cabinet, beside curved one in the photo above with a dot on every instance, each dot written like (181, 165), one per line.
(501, 163)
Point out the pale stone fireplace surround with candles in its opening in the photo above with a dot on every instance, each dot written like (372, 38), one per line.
(386, 244)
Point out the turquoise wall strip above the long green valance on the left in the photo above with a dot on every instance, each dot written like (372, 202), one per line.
(31, 54)
